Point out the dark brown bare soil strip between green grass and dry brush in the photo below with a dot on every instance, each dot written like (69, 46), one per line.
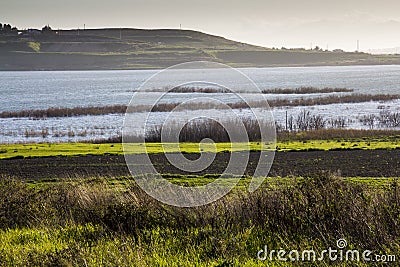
(363, 163)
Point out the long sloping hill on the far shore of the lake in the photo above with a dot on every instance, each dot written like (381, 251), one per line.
(95, 49)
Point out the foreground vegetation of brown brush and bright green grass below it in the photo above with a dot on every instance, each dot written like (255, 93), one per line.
(97, 222)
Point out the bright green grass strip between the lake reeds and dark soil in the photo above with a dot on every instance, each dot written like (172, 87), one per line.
(79, 149)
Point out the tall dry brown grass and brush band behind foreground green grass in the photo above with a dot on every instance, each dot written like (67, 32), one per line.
(323, 207)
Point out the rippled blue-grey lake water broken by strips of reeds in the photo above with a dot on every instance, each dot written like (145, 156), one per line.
(41, 90)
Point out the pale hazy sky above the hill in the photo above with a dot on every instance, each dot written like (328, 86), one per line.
(290, 23)
